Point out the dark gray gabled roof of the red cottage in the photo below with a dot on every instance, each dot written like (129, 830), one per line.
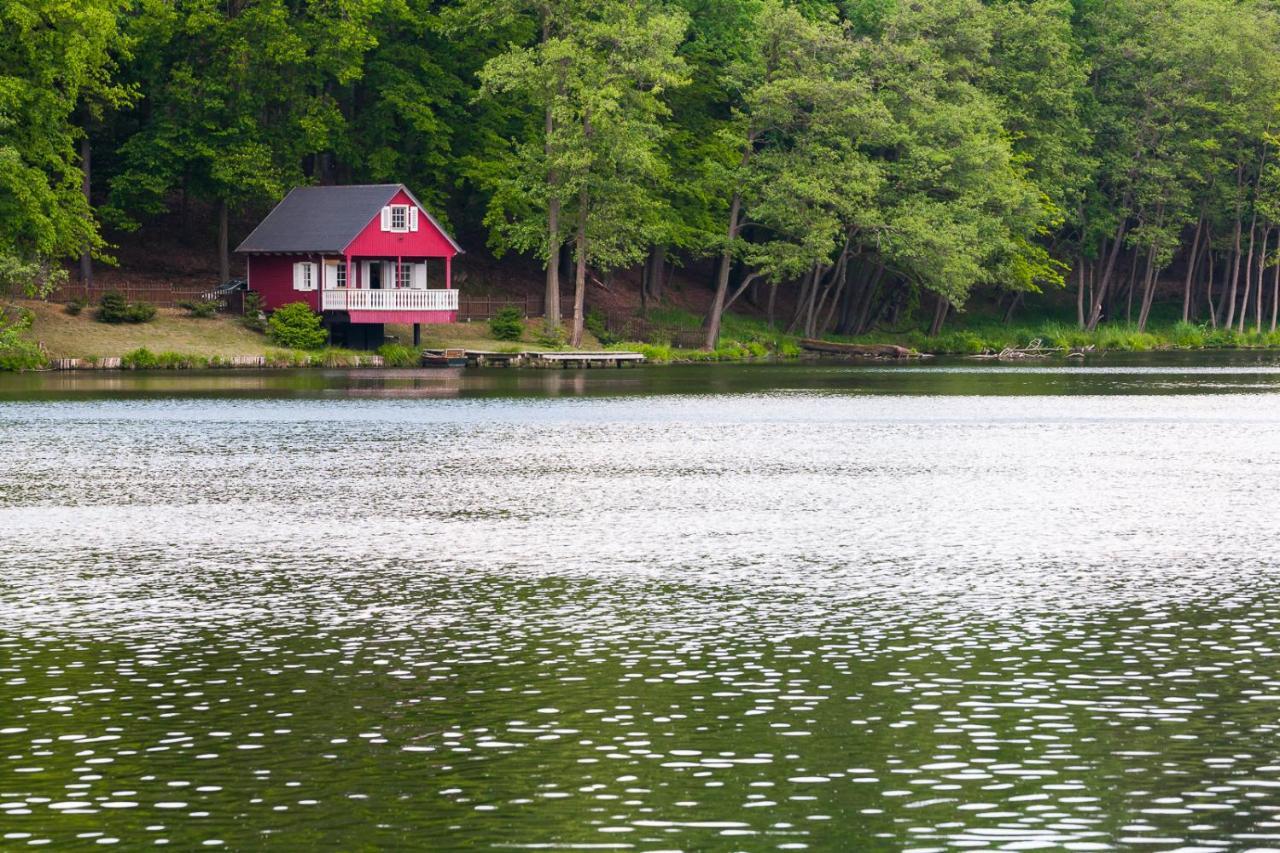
(324, 220)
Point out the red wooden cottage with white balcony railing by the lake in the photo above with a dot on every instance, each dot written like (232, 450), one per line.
(360, 256)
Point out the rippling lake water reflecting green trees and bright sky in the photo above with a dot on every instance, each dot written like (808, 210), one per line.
(708, 609)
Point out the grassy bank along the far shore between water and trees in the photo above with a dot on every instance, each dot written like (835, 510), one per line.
(176, 340)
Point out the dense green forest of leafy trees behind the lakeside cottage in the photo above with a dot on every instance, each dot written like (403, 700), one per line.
(843, 165)
